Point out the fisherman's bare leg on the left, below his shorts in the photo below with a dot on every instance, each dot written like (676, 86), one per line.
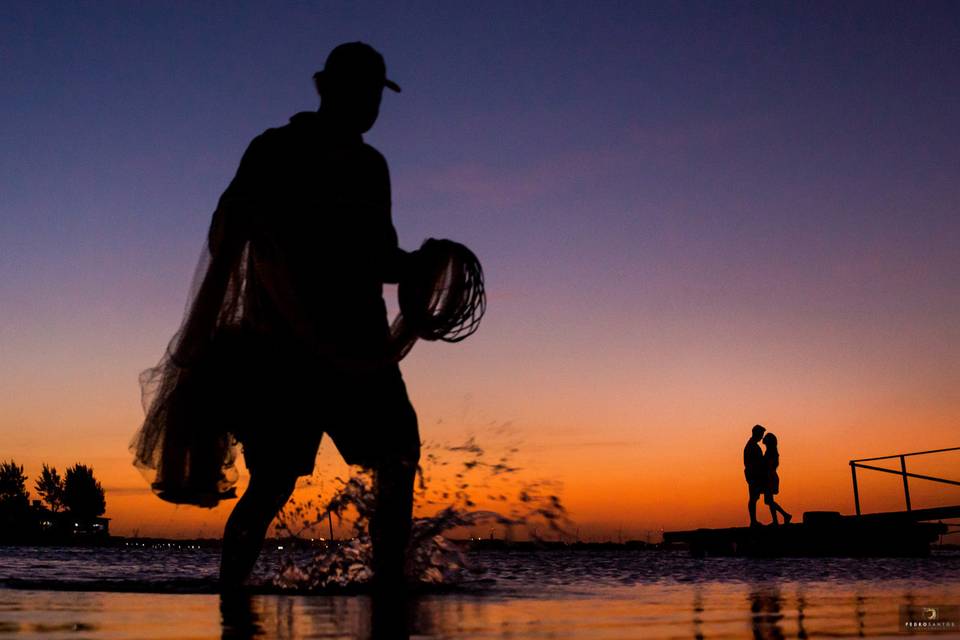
(247, 525)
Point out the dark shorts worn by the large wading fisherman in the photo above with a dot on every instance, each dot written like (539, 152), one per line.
(282, 403)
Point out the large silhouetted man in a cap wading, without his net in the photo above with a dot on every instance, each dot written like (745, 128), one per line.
(313, 201)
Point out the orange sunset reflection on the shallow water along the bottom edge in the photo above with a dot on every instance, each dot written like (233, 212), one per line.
(758, 609)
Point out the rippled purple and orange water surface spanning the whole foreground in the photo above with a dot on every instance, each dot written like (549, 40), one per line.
(132, 592)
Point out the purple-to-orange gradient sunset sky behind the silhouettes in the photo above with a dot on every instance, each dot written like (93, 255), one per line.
(692, 216)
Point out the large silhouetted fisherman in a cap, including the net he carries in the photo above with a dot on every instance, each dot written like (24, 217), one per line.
(287, 335)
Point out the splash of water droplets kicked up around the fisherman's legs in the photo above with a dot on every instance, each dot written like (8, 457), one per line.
(445, 502)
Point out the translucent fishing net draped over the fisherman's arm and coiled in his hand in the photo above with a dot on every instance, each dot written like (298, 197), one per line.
(187, 445)
